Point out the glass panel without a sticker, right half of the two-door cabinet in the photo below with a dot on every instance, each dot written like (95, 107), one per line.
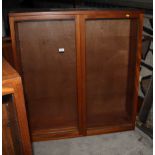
(110, 66)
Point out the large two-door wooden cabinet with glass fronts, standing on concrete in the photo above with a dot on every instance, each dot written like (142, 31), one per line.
(80, 70)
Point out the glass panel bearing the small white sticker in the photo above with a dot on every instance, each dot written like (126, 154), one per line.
(48, 61)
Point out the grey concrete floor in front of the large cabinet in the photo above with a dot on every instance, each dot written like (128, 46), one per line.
(122, 143)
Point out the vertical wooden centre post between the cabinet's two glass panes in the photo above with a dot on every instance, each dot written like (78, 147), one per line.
(80, 40)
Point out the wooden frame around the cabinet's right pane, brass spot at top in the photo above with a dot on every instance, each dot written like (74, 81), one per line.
(136, 27)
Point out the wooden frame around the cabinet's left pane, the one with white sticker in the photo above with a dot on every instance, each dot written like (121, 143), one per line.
(46, 134)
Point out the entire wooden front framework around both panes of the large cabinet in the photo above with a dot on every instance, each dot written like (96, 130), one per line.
(80, 18)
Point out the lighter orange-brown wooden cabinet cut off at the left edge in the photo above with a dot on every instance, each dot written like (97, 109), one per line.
(15, 132)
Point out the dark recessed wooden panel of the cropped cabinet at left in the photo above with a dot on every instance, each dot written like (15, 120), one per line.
(10, 129)
